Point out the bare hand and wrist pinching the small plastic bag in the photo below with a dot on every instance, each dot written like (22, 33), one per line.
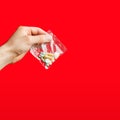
(20, 43)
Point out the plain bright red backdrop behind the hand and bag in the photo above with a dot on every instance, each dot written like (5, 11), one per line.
(84, 83)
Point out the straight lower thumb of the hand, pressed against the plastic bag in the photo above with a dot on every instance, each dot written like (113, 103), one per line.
(40, 39)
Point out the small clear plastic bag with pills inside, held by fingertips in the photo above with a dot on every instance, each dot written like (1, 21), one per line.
(48, 53)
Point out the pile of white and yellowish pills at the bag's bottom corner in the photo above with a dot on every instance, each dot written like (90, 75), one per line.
(48, 58)
